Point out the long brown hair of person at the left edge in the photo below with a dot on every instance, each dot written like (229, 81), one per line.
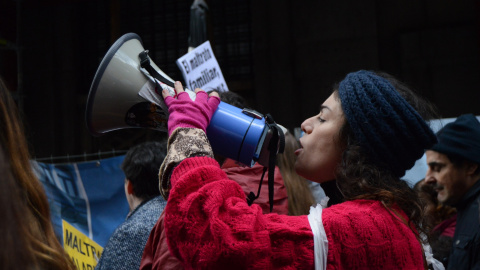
(27, 231)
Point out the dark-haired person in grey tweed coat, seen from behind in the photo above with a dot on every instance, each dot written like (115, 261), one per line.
(125, 247)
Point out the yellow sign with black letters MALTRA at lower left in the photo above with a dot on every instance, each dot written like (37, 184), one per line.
(84, 252)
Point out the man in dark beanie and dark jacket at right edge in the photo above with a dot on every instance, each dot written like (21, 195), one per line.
(454, 172)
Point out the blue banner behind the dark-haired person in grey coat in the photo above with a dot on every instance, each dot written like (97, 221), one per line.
(90, 196)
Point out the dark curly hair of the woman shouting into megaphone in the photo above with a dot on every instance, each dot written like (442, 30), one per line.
(360, 178)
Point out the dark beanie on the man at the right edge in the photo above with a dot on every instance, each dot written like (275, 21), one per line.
(460, 138)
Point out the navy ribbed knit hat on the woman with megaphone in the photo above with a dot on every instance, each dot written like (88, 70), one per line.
(385, 125)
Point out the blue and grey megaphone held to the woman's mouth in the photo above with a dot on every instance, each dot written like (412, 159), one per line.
(114, 102)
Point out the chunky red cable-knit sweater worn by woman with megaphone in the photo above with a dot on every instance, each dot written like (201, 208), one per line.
(210, 226)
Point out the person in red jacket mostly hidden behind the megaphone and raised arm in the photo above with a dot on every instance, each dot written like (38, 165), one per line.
(156, 254)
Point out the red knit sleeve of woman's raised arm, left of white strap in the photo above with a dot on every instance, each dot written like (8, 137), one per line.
(209, 224)
